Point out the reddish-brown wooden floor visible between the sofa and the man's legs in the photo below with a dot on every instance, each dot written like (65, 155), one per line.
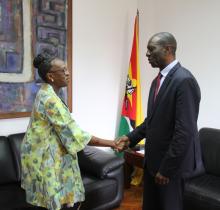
(132, 199)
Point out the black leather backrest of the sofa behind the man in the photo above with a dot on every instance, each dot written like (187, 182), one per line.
(210, 145)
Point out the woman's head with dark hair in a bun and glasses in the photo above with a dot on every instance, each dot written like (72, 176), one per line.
(51, 69)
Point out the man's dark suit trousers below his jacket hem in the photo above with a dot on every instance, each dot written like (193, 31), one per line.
(162, 197)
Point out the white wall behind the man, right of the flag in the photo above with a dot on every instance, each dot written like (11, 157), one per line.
(195, 24)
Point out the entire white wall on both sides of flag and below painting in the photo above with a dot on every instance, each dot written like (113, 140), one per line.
(102, 38)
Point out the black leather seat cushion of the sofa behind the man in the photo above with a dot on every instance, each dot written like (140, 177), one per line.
(204, 190)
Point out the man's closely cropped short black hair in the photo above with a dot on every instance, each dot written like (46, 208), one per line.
(166, 39)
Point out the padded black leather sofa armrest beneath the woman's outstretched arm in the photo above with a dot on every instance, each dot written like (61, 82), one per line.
(97, 162)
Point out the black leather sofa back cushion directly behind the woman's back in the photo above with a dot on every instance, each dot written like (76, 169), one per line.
(15, 141)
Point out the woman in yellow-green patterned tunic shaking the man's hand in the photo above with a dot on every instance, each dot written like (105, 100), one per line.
(50, 171)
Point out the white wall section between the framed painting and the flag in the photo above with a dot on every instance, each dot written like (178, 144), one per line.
(103, 32)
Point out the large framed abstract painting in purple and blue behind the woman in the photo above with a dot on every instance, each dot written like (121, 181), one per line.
(28, 27)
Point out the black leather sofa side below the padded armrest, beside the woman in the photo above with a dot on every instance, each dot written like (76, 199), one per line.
(98, 192)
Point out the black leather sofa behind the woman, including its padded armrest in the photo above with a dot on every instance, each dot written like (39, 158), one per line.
(102, 174)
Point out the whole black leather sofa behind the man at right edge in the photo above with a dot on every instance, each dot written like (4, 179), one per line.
(203, 192)
